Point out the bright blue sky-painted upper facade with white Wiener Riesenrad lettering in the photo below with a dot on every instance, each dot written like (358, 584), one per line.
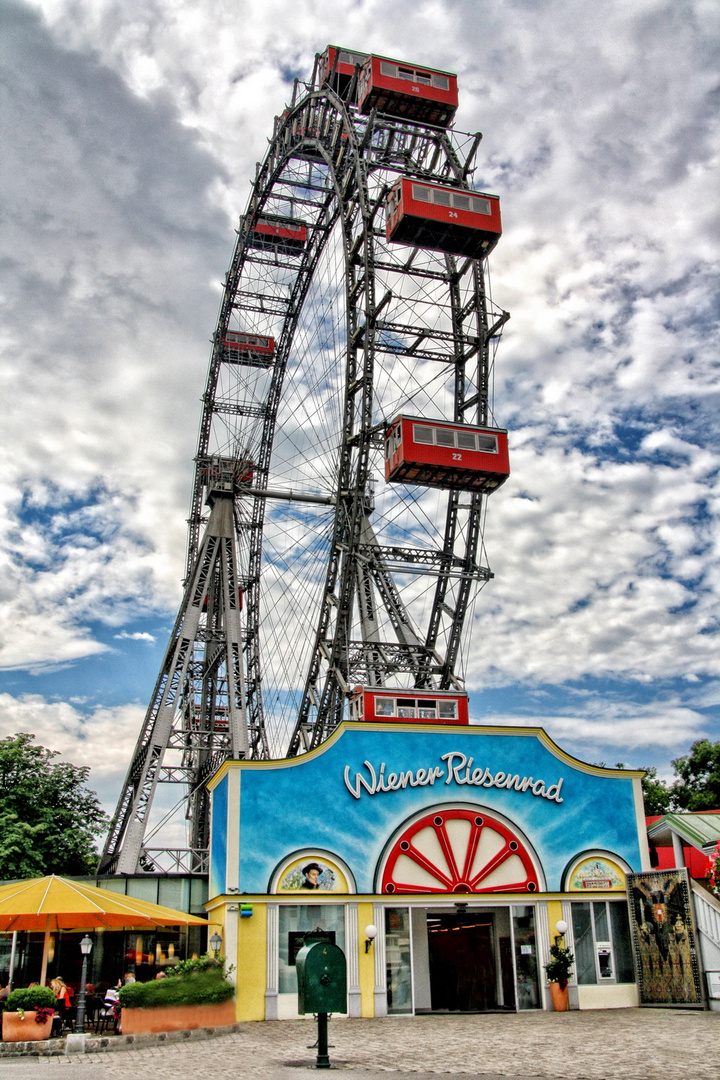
(562, 814)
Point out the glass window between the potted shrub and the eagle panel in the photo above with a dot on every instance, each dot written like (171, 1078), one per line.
(602, 936)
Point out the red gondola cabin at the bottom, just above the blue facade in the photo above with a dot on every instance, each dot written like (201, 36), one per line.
(404, 707)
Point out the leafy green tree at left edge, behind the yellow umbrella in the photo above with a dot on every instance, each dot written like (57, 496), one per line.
(49, 820)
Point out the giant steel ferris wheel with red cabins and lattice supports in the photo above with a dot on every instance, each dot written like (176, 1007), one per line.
(357, 307)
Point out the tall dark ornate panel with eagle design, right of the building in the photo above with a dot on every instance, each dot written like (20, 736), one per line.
(664, 942)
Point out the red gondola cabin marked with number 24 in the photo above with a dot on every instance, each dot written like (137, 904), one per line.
(444, 220)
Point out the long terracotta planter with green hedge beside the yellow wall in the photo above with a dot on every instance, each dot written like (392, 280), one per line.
(195, 994)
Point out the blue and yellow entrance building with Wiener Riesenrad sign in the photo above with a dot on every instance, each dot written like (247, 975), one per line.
(439, 858)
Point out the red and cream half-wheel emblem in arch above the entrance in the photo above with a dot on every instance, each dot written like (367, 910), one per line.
(459, 852)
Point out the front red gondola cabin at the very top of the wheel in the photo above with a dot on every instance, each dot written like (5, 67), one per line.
(403, 90)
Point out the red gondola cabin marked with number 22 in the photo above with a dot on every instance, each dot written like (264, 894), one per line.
(441, 454)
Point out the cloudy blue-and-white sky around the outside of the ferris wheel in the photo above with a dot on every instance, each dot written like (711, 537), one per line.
(130, 133)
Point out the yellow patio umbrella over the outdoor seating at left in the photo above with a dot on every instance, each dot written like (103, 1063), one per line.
(56, 903)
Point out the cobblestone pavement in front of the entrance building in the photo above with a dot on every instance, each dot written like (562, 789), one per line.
(609, 1045)
